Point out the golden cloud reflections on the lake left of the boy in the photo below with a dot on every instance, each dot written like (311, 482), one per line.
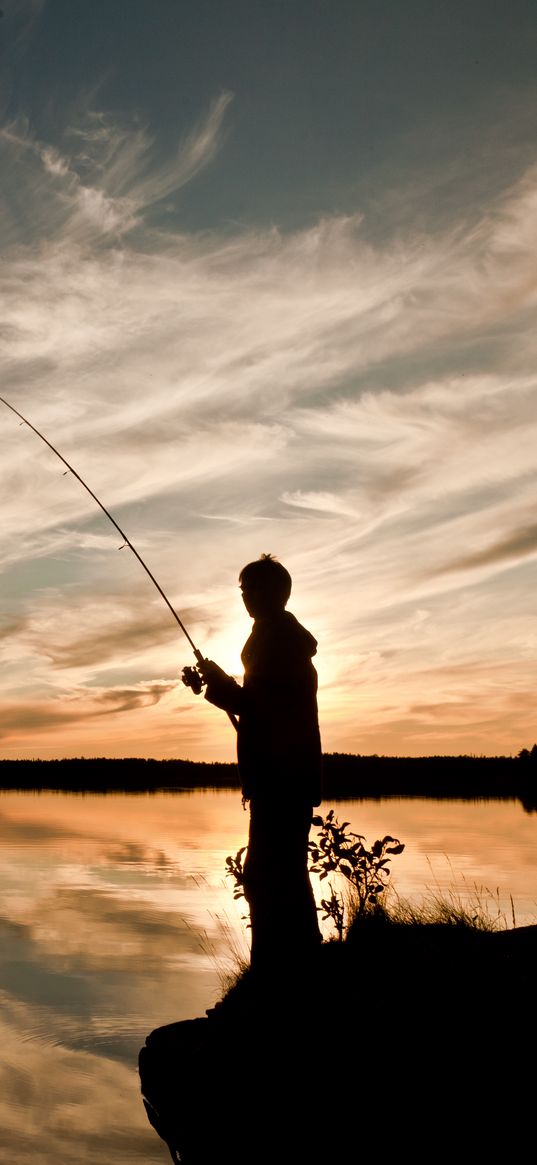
(101, 937)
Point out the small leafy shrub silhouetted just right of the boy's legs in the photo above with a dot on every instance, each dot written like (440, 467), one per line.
(365, 871)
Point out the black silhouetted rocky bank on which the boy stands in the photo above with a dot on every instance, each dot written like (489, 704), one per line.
(409, 1037)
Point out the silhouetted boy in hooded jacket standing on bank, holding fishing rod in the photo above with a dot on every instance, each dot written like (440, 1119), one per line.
(280, 762)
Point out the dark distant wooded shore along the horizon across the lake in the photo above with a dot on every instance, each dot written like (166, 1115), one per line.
(345, 776)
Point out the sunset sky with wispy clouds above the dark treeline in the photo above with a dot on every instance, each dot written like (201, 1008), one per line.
(268, 281)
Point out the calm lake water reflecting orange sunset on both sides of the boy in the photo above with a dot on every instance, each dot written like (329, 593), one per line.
(116, 919)
